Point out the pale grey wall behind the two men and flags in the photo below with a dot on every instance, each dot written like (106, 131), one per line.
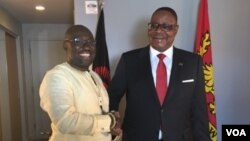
(126, 29)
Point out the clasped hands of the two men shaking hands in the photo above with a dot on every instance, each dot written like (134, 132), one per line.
(115, 126)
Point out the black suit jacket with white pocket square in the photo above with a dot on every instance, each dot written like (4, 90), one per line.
(183, 116)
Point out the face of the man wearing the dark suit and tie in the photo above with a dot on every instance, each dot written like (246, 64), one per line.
(160, 39)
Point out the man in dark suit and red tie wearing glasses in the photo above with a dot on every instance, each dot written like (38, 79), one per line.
(181, 114)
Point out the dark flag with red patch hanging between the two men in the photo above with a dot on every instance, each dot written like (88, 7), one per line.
(101, 62)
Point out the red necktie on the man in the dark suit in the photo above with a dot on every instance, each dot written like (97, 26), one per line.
(161, 79)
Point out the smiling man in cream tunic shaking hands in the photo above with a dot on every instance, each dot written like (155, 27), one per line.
(74, 96)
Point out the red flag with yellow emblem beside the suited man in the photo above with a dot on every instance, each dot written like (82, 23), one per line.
(203, 48)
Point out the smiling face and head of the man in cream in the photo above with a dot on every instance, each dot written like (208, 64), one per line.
(79, 56)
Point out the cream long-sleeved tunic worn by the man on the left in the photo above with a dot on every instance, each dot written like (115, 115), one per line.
(72, 100)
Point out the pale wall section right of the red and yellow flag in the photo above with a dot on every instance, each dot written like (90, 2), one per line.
(230, 30)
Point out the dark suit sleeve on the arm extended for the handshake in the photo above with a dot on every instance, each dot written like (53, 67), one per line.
(117, 87)
